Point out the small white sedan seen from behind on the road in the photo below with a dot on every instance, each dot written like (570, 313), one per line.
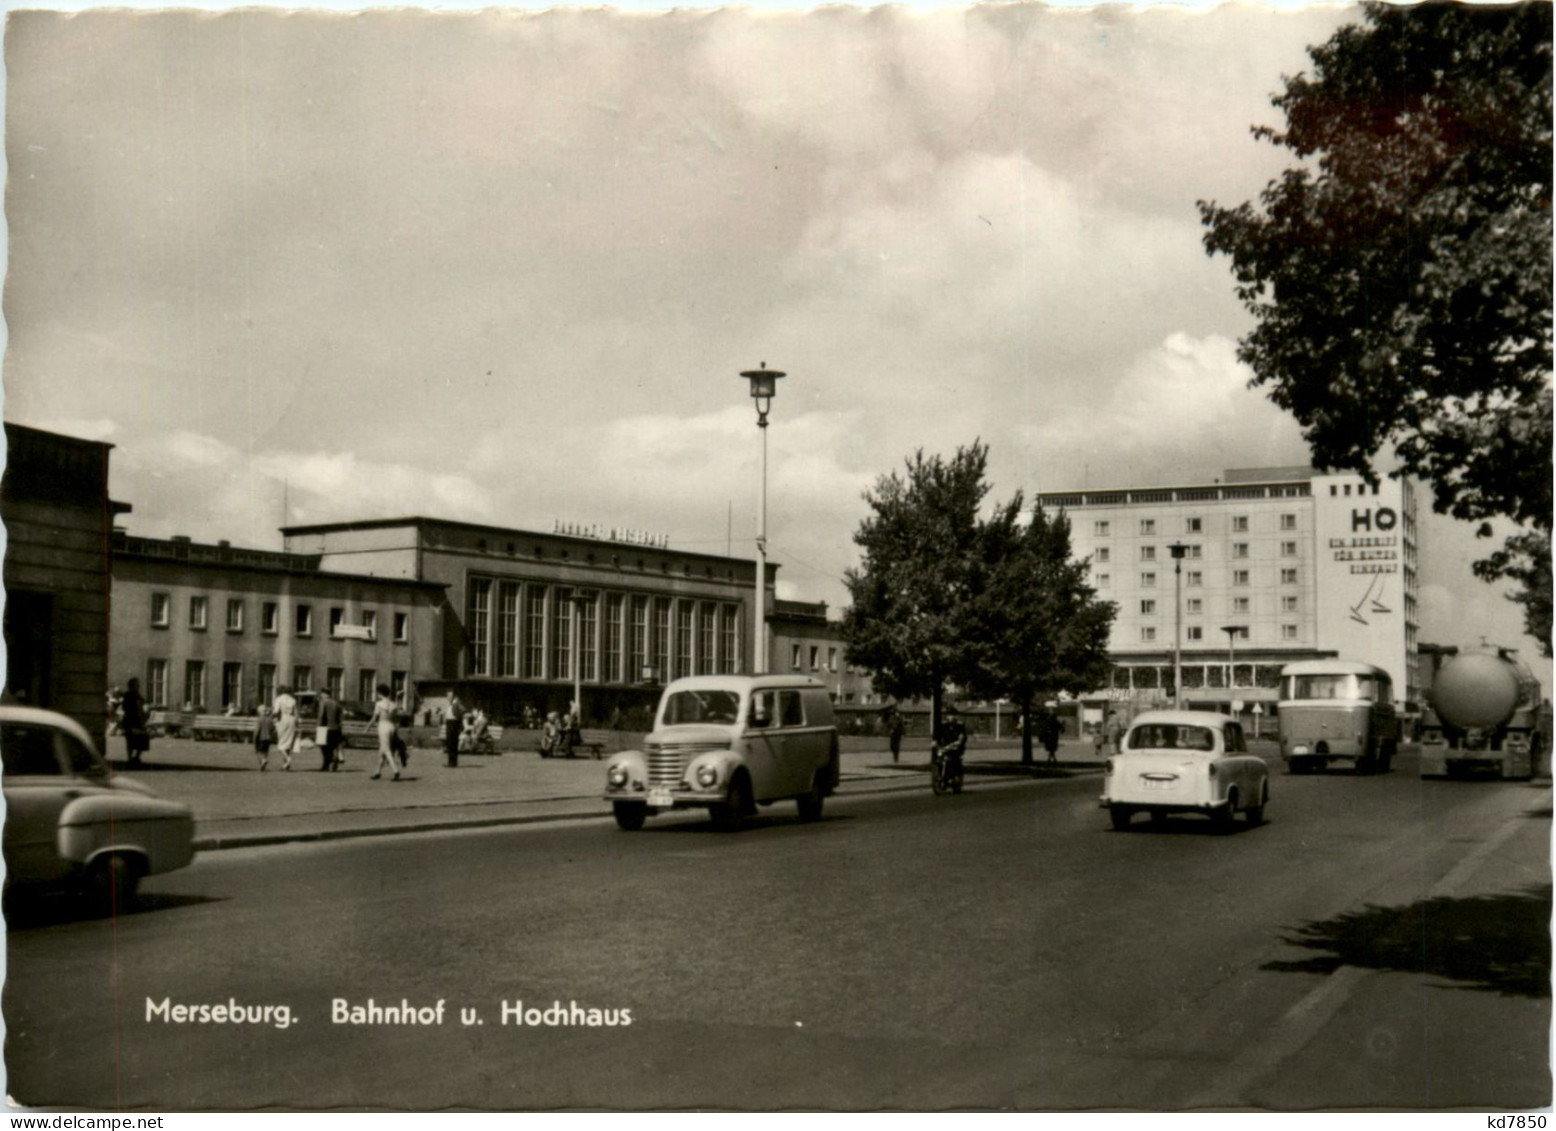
(1185, 762)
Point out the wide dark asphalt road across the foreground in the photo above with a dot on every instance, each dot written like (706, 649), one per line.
(1381, 942)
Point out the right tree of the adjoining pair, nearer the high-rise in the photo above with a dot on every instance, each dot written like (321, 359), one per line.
(1043, 628)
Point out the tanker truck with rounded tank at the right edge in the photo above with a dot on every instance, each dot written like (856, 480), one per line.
(1484, 715)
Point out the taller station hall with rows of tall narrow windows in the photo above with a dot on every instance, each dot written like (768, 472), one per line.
(531, 618)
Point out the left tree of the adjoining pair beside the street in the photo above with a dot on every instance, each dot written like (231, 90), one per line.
(925, 562)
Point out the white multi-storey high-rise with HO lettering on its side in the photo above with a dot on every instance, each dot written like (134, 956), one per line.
(1277, 565)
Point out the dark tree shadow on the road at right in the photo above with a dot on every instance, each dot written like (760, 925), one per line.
(1499, 944)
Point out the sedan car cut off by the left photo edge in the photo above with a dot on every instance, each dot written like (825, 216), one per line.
(71, 822)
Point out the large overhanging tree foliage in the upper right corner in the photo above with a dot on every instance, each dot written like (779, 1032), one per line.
(1401, 271)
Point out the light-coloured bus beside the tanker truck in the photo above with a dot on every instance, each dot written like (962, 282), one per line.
(1337, 710)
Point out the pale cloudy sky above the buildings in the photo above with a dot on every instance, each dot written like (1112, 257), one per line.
(506, 267)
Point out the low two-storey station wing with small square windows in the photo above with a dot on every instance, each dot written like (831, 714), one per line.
(216, 628)
